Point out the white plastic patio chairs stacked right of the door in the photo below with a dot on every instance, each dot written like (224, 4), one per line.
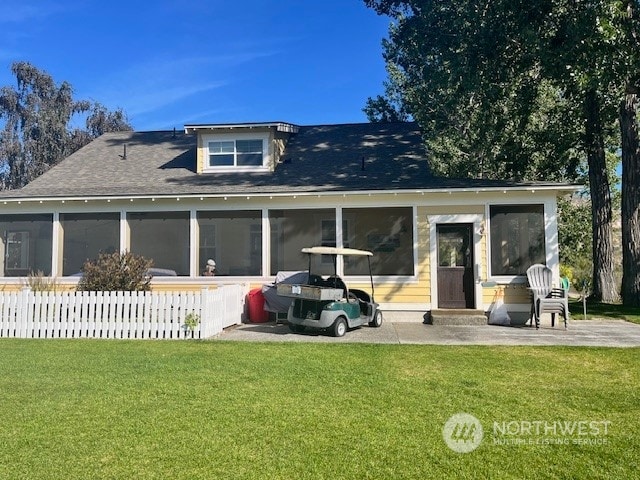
(546, 298)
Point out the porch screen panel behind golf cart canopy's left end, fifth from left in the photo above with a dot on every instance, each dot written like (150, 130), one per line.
(293, 230)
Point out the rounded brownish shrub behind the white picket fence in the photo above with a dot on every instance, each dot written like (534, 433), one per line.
(116, 272)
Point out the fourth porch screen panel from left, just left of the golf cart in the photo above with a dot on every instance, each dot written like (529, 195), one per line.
(233, 240)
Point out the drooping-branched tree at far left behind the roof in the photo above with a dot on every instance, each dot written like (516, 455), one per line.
(36, 132)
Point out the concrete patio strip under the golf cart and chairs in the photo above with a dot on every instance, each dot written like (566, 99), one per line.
(595, 333)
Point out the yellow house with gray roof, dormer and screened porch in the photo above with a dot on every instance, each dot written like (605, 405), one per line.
(251, 196)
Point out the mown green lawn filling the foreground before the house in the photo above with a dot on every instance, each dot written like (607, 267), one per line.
(80, 409)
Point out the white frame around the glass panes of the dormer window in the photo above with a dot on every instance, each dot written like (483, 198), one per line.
(234, 137)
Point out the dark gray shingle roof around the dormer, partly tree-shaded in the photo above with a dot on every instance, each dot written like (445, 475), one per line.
(317, 159)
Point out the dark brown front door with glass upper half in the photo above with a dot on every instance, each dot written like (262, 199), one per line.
(455, 266)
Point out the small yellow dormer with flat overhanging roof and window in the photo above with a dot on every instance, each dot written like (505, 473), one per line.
(241, 148)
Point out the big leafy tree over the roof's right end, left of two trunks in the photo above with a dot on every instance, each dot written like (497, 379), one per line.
(513, 89)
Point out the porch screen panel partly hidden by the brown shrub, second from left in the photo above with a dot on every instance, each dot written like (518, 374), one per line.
(86, 236)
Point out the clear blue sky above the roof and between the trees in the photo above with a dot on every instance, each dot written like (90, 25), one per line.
(168, 63)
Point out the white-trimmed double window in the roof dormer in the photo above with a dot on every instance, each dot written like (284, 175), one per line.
(235, 152)
